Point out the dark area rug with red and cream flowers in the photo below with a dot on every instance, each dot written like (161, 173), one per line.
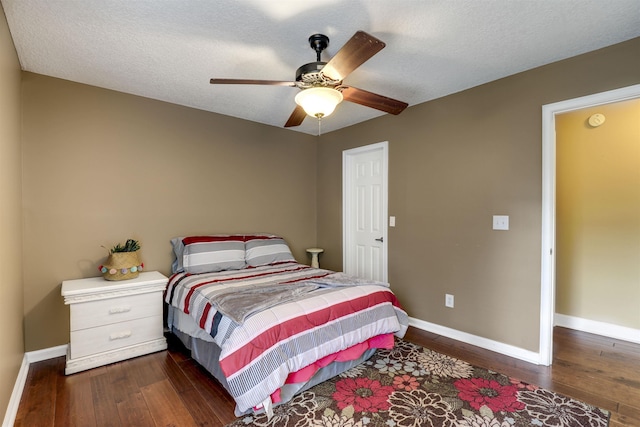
(414, 386)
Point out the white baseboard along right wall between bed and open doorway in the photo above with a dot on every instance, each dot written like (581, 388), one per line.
(498, 347)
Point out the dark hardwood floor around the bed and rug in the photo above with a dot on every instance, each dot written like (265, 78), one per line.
(170, 389)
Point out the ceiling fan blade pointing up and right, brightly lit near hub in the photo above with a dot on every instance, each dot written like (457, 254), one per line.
(354, 53)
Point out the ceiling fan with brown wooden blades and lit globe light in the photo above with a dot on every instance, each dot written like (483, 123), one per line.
(321, 82)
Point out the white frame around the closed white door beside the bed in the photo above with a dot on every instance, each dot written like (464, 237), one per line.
(347, 200)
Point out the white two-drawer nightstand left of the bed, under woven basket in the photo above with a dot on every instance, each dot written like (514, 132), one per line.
(113, 321)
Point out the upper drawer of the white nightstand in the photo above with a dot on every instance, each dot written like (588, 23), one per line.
(113, 310)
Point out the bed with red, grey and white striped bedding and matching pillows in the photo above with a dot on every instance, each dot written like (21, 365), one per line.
(267, 327)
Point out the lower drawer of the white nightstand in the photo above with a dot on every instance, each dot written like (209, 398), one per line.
(86, 342)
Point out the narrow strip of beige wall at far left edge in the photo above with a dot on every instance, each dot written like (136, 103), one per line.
(12, 348)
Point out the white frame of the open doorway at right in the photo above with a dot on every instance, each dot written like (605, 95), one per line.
(548, 282)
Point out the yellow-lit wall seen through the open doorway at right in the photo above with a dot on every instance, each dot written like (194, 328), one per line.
(598, 214)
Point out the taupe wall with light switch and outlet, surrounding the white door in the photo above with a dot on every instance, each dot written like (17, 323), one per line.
(455, 162)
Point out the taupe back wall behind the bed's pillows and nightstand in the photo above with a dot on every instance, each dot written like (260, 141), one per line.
(101, 166)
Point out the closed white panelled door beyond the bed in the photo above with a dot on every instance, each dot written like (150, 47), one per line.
(365, 211)
